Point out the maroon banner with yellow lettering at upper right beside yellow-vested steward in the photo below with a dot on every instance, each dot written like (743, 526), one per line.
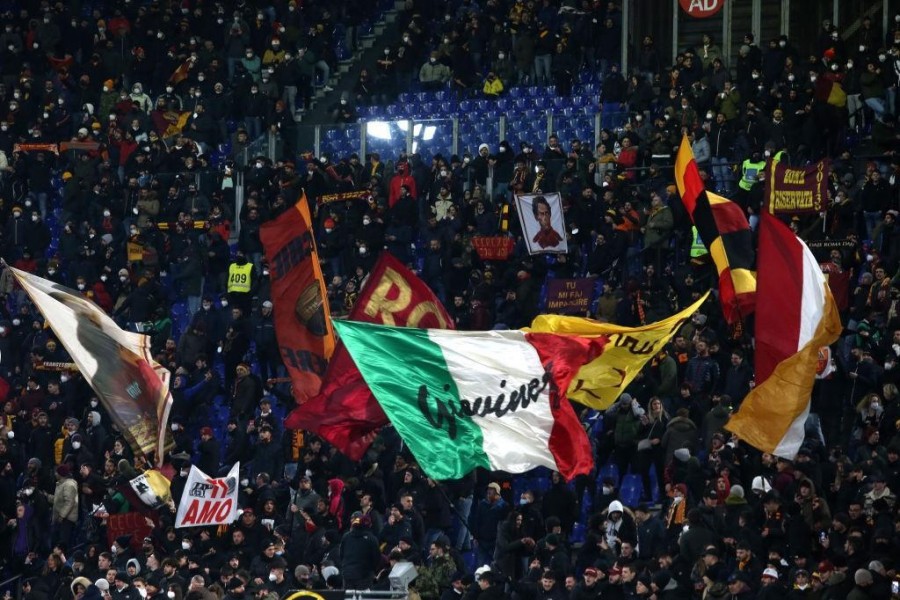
(797, 190)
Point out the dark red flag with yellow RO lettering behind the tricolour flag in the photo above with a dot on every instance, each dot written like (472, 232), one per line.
(345, 412)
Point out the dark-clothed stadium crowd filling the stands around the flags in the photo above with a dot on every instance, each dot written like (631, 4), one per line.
(108, 118)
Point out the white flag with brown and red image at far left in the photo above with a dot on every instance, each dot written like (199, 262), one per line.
(117, 364)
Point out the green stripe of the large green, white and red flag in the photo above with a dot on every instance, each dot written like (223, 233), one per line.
(410, 379)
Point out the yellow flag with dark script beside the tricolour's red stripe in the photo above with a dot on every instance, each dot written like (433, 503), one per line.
(599, 383)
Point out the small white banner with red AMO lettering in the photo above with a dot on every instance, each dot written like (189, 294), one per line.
(209, 500)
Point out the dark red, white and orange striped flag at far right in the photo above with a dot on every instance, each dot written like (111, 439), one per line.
(796, 316)
